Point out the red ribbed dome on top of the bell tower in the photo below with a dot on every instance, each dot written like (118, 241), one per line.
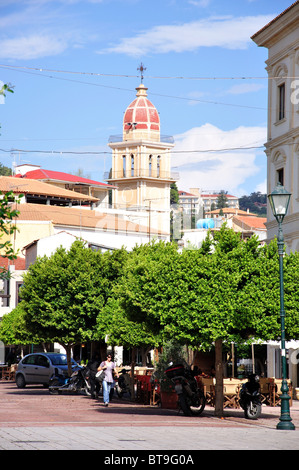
(141, 113)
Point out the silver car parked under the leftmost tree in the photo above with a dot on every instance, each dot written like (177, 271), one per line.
(38, 368)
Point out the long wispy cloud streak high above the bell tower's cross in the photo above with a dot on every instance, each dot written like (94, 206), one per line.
(225, 32)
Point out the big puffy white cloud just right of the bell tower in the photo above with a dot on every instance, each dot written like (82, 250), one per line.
(217, 169)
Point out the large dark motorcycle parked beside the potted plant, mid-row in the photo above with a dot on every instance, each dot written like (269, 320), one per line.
(191, 398)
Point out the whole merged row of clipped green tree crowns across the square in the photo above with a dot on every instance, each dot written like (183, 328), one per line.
(228, 289)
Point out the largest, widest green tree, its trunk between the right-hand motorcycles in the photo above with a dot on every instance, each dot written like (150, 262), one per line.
(226, 292)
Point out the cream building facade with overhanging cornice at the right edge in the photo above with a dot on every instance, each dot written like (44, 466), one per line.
(281, 38)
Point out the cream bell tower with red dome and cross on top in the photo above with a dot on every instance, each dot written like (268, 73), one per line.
(141, 168)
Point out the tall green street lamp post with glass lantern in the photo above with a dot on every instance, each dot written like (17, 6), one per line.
(279, 201)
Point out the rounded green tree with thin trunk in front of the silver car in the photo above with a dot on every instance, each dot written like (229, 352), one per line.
(62, 296)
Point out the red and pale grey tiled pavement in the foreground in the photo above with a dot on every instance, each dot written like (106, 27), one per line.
(31, 419)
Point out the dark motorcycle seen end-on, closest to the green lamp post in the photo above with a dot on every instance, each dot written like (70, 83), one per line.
(250, 397)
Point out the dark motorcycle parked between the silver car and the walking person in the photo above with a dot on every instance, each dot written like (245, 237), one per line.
(76, 383)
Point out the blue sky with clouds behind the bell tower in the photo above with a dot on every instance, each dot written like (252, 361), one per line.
(73, 65)
